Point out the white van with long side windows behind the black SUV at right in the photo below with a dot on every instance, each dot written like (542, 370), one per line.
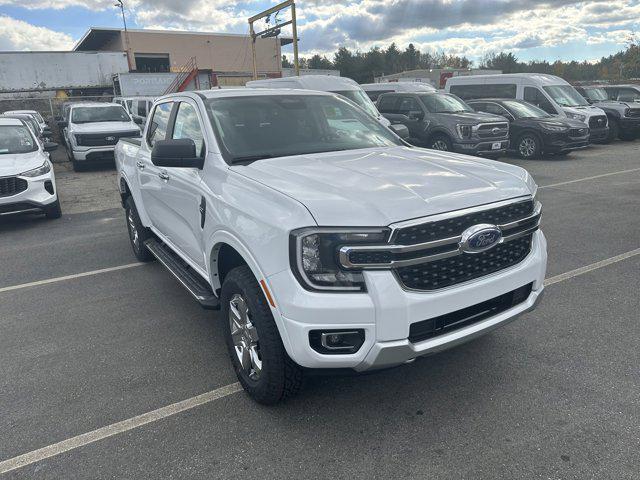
(550, 93)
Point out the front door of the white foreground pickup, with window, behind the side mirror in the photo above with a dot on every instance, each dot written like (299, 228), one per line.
(183, 205)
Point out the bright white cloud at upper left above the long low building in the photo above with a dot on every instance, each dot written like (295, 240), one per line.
(19, 35)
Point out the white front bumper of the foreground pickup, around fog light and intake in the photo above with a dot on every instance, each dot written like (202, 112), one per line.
(387, 311)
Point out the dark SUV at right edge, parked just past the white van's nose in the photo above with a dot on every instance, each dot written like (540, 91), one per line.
(624, 117)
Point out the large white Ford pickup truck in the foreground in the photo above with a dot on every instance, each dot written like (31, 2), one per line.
(326, 247)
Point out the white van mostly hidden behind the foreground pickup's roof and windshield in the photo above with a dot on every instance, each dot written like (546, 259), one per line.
(325, 83)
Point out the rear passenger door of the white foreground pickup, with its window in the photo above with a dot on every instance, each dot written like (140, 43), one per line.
(148, 174)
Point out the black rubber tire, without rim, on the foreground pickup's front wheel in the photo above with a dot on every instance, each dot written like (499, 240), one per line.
(279, 377)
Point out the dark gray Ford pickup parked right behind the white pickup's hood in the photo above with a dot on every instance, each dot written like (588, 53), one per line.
(442, 121)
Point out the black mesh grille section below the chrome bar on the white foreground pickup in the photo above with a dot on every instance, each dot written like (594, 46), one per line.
(464, 267)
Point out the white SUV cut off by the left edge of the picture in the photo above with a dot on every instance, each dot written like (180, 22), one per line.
(27, 181)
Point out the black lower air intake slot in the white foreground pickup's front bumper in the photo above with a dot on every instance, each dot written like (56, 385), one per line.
(450, 322)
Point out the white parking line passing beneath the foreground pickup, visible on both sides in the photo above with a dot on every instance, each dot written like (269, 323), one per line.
(175, 408)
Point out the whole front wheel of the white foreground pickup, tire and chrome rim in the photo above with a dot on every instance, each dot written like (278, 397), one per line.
(258, 356)
